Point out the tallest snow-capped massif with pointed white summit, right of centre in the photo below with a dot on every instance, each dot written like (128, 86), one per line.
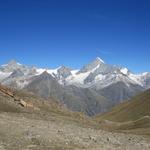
(99, 75)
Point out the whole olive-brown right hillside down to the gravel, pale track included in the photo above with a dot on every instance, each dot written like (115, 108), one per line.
(131, 116)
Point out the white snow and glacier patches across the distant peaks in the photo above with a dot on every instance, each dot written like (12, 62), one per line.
(78, 78)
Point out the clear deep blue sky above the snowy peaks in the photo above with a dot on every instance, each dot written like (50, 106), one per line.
(49, 33)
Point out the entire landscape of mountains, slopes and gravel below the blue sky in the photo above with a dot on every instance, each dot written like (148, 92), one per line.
(88, 109)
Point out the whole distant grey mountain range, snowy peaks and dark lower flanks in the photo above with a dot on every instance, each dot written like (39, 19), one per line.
(93, 89)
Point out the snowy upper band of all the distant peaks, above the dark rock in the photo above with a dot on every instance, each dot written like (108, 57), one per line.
(95, 74)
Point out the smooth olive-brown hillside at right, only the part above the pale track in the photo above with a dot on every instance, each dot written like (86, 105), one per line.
(136, 108)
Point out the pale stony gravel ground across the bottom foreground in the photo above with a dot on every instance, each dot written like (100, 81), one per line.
(19, 132)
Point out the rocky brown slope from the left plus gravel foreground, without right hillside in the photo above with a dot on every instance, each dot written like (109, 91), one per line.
(52, 127)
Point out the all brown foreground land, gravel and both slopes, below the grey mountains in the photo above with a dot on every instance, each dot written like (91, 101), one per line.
(31, 122)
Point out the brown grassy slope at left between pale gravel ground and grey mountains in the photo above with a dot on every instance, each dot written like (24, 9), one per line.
(48, 108)
